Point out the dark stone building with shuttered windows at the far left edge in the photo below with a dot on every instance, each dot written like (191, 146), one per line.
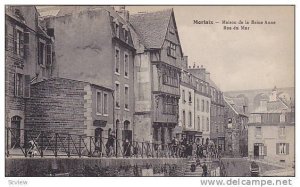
(28, 59)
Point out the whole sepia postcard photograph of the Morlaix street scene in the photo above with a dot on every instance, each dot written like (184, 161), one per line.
(149, 90)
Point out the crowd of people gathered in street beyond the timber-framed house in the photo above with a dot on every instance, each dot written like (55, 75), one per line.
(188, 149)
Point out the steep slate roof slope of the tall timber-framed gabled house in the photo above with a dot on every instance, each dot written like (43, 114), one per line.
(151, 27)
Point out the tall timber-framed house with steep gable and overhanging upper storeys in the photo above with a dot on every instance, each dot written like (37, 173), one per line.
(157, 71)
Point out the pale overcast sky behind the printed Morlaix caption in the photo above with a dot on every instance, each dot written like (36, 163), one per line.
(238, 60)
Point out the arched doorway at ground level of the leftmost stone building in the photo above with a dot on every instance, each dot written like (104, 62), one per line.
(15, 131)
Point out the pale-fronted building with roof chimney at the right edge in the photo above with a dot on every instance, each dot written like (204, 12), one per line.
(271, 131)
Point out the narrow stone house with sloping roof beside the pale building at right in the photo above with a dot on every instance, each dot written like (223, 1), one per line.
(236, 133)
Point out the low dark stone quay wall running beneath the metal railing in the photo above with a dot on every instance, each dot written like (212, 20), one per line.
(26, 167)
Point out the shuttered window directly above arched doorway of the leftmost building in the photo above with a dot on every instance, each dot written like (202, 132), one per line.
(22, 85)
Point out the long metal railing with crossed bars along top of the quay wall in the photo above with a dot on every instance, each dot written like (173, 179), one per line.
(36, 143)
